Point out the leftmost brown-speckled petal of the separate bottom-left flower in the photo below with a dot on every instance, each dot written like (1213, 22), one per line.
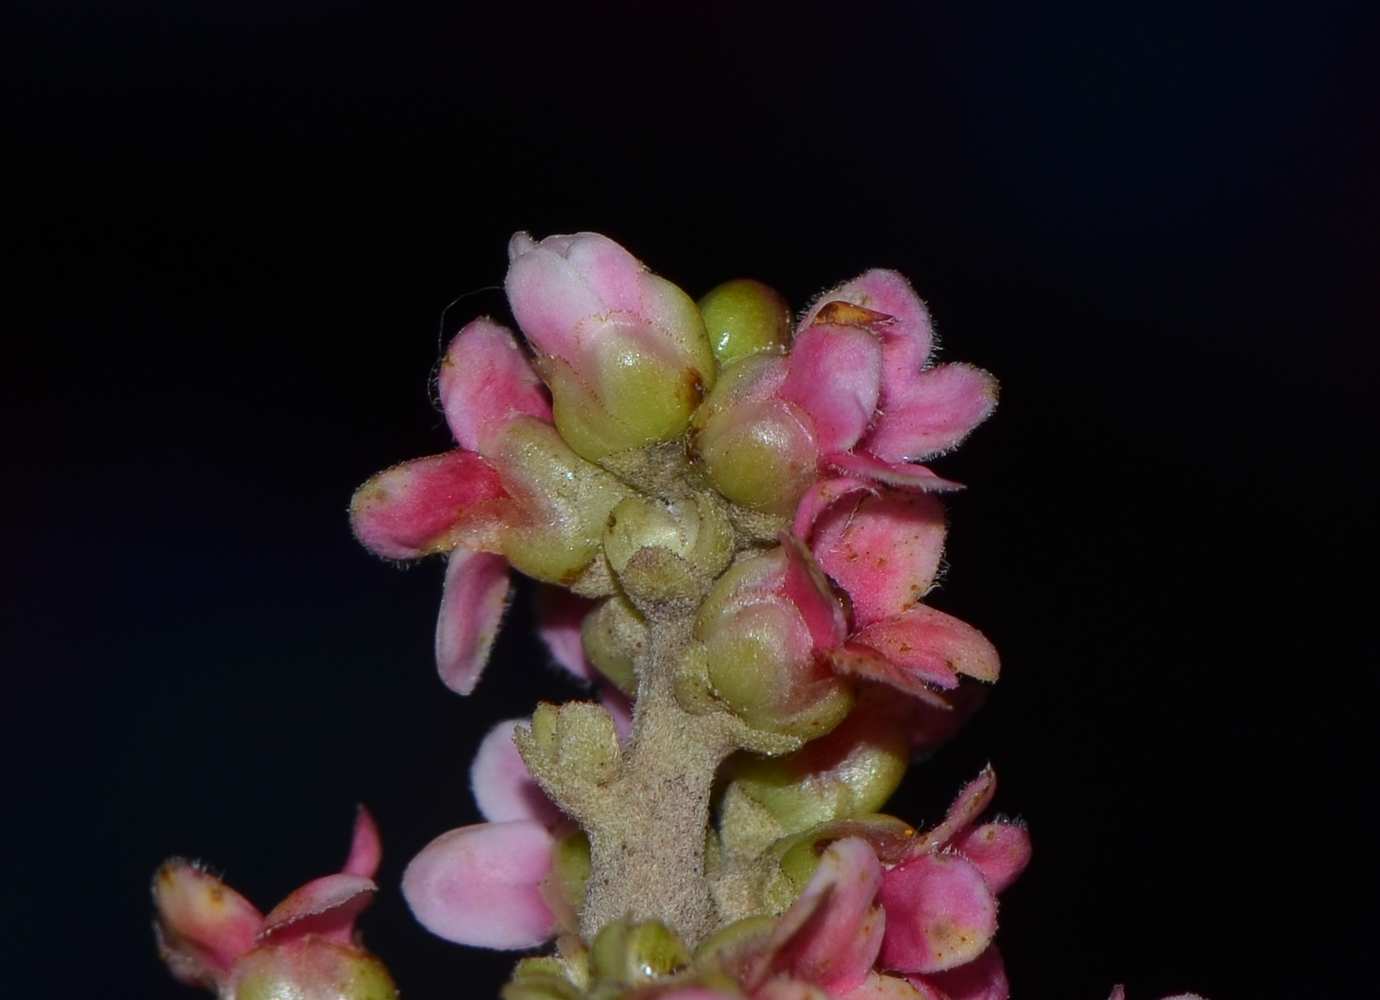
(204, 923)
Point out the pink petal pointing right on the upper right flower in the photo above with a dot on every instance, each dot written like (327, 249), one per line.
(931, 413)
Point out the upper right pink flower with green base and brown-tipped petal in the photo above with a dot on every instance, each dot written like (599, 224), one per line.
(854, 397)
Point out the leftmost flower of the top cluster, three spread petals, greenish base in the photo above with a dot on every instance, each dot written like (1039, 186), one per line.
(492, 501)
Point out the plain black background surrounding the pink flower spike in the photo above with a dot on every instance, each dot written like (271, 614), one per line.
(231, 235)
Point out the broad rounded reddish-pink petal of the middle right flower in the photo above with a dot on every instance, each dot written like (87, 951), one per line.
(884, 551)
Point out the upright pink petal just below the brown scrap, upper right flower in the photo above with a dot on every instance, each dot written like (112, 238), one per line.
(836, 377)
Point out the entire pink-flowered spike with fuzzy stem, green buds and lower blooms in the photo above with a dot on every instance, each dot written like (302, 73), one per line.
(733, 528)
